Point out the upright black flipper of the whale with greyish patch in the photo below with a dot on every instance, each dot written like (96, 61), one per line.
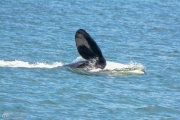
(89, 49)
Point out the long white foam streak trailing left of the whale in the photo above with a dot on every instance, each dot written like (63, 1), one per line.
(23, 64)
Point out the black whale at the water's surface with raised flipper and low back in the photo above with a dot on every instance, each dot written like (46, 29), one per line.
(89, 50)
